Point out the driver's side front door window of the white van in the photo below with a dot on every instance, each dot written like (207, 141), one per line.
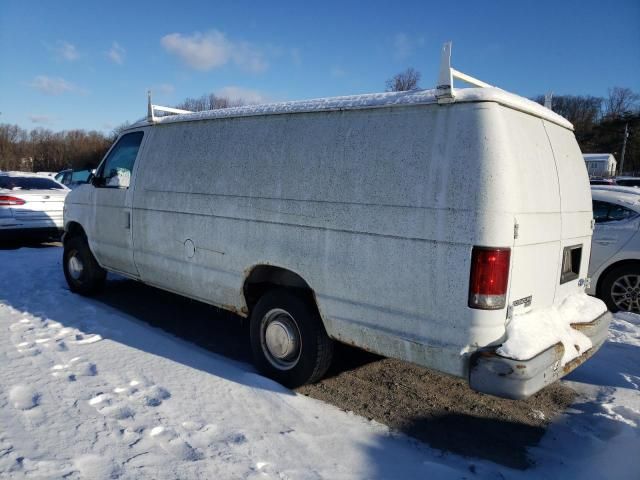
(117, 167)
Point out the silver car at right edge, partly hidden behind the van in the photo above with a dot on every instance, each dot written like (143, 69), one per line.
(615, 253)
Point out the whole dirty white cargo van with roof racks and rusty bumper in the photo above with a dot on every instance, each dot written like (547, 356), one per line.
(448, 227)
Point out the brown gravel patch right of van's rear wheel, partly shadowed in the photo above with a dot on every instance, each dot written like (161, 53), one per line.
(440, 410)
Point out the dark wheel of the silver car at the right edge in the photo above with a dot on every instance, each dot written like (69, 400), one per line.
(613, 286)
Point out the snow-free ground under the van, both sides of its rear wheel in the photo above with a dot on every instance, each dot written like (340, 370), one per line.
(433, 408)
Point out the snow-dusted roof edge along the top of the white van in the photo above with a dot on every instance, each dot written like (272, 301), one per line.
(371, 100)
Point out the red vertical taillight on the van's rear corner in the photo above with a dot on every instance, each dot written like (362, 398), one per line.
(489, 277)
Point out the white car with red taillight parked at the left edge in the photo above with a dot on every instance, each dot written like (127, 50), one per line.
(31, 206)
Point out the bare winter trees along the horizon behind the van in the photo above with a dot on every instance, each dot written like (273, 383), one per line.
(599, 124)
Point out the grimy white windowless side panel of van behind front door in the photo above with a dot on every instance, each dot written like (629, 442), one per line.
(369, 207)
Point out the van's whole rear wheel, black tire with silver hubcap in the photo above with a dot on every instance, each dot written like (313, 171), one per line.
(285, 311)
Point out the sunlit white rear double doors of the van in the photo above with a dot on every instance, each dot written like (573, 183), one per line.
(551, 204)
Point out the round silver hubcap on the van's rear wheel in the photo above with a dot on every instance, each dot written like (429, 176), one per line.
(281, 340)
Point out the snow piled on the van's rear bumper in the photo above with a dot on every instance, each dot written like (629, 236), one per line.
(530, 333)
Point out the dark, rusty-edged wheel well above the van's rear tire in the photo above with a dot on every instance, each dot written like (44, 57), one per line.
(266, 277)
